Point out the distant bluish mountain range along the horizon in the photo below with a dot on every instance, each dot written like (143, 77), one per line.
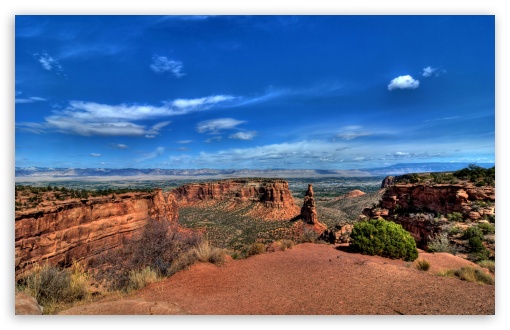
(397, 169)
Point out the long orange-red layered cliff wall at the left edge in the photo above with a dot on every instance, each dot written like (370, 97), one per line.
(86, 229)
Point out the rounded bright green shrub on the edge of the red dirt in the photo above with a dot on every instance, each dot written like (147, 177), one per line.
(383, 238)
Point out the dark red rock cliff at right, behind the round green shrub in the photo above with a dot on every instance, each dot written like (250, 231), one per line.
(415, 206)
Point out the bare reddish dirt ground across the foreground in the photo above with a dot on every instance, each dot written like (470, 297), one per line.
(310, 279)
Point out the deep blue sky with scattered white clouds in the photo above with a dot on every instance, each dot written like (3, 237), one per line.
(296, 92)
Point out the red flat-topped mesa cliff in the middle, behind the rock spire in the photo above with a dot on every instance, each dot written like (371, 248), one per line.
(272, 198)
